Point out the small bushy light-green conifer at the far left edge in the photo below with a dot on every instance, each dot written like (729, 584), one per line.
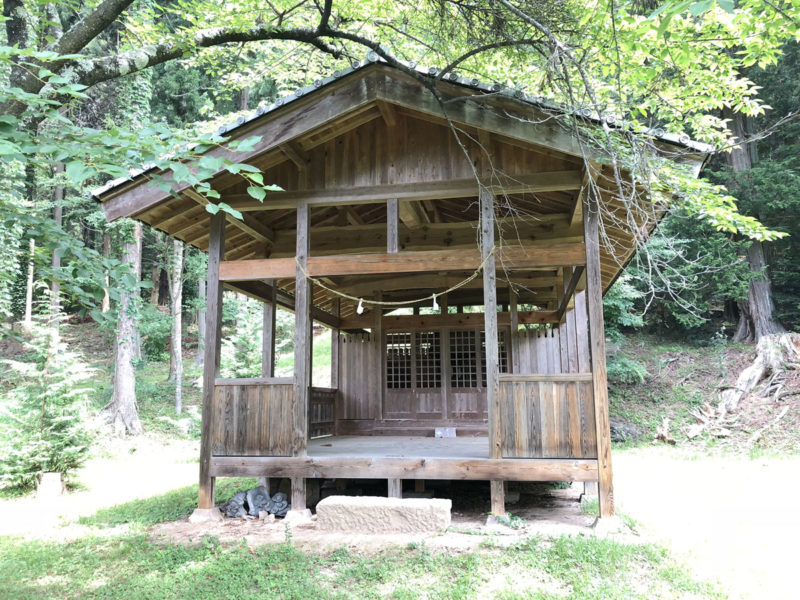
(43, 418)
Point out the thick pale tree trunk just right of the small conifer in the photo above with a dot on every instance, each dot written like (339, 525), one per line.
(122, 411)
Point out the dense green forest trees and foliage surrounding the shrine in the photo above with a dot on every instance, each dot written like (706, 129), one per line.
(94, 89)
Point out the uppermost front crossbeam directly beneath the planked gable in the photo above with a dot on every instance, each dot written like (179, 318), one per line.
(551, 181)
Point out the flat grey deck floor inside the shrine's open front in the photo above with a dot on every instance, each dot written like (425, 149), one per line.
(399, 447)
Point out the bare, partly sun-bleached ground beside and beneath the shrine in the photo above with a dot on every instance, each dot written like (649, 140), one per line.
(733, 520)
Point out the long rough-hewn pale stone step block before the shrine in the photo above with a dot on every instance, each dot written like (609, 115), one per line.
(372, 514)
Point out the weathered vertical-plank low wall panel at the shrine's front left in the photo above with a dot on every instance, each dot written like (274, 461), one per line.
(252, 419)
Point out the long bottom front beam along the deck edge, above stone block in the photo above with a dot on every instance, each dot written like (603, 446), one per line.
(406, 468)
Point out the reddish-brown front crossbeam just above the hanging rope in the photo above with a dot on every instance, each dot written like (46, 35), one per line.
(555, 255)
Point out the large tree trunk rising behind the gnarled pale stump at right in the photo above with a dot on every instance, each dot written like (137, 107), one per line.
(755, 314)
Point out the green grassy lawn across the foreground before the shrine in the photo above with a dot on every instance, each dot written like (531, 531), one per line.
(123, 563)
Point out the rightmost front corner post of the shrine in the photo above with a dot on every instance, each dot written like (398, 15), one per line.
(597, 345)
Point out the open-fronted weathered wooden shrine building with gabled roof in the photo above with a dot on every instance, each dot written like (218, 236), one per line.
(395, 196)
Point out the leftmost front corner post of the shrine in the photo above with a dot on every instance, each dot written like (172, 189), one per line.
(216, 253)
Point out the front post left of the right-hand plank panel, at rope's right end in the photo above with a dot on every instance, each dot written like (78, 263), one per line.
(492, 352)
